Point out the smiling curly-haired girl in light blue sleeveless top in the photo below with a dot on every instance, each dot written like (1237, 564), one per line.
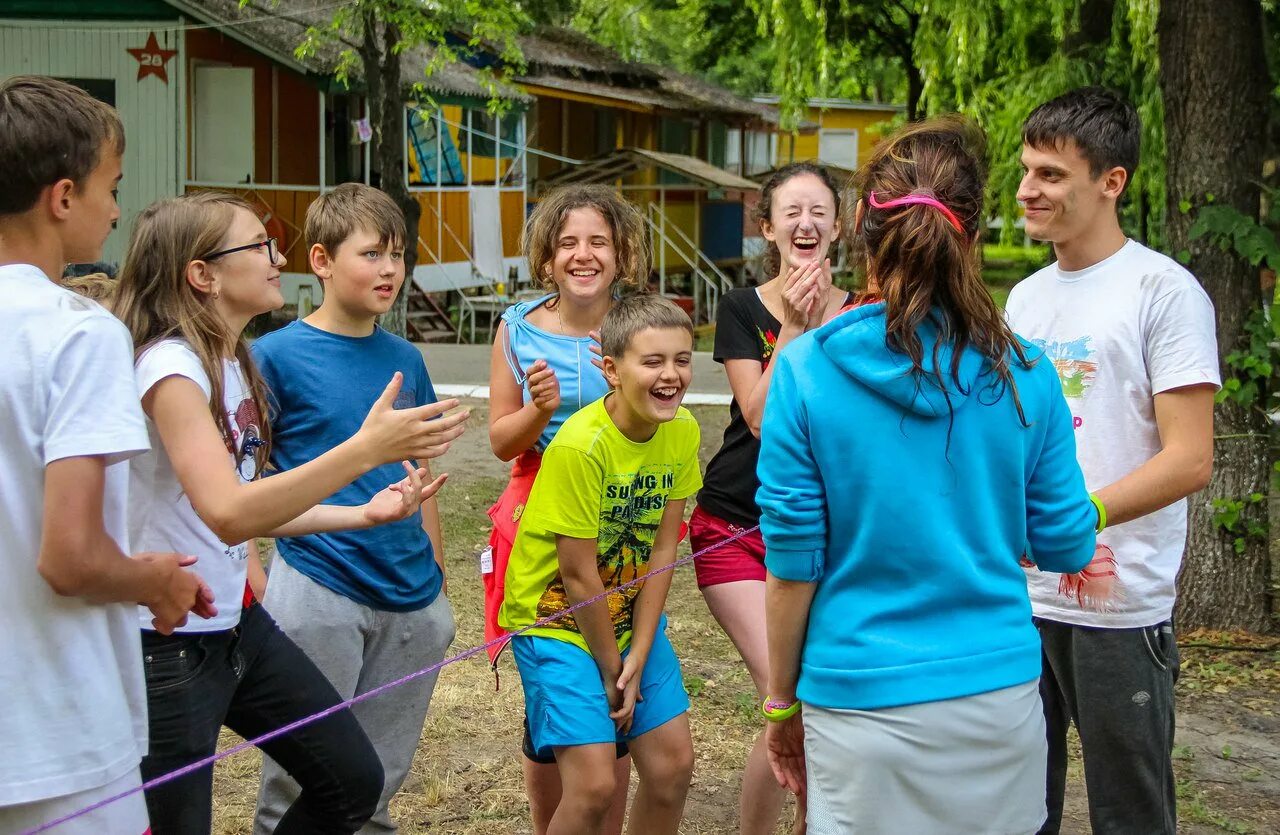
(582, 243)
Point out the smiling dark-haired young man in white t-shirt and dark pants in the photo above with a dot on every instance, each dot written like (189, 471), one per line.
(1132, 336)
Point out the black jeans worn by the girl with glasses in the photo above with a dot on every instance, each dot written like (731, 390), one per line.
(253, 679)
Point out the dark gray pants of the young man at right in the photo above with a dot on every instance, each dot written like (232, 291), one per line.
(1118, 687)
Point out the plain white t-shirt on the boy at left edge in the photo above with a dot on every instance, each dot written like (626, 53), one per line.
(71, 672)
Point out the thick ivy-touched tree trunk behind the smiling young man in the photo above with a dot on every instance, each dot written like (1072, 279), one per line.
(1214, 79)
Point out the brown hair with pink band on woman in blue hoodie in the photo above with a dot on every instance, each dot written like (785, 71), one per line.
(922, 266)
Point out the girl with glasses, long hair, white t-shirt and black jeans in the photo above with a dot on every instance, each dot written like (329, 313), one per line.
(198, 270)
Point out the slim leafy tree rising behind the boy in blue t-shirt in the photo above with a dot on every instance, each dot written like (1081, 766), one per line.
(391, 48)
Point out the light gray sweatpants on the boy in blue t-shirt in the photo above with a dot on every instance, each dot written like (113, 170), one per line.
(359, 649)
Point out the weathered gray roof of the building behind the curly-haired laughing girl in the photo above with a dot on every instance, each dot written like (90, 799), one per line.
(572, 62)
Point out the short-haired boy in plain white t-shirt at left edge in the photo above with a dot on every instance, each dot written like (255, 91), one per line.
(74, 729)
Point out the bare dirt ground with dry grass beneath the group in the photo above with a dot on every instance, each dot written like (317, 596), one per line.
(467, 775)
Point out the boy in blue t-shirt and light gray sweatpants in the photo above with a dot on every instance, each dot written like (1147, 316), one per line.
(365, 605)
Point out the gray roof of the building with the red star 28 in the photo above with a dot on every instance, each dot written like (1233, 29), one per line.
(277, 28)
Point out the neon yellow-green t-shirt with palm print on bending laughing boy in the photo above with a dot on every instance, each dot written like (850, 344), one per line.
(596, 483)
